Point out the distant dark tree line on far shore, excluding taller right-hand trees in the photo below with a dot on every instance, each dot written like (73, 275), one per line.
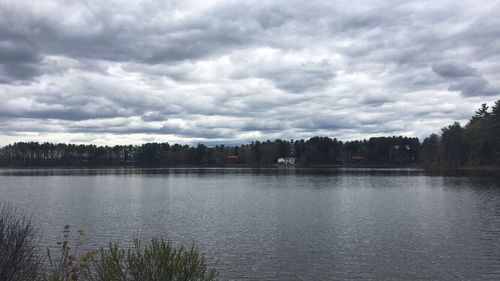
(314, 151)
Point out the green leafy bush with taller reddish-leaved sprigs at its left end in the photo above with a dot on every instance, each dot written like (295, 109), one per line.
(155, 260)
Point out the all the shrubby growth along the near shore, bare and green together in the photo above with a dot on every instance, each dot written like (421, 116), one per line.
(154, 260)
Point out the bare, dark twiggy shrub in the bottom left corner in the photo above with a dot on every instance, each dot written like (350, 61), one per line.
(19, 256)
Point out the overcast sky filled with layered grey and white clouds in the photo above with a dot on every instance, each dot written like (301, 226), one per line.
(229, 72)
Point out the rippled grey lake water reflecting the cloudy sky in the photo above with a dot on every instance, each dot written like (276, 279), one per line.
(281, 224)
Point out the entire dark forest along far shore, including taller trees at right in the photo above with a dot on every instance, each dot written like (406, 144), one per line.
(475, 144)
